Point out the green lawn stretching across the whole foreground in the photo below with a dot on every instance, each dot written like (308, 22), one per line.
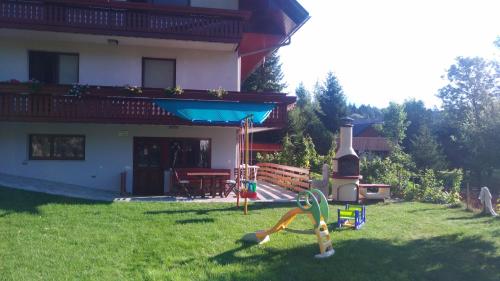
(46, 237)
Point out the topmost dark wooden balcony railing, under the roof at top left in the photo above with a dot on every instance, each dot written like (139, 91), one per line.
(124, 19)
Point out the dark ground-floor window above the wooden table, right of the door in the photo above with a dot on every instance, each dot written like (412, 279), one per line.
(189, 153)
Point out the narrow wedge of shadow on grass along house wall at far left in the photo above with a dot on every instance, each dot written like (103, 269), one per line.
(20, 201)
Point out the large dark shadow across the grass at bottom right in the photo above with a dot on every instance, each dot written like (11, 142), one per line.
(440, 258)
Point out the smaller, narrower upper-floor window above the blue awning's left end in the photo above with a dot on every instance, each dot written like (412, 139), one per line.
(158, 73)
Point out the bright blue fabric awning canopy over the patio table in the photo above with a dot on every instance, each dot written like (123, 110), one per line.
(217, 111)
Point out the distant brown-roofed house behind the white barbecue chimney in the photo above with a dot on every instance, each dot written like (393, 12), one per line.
(368, 141)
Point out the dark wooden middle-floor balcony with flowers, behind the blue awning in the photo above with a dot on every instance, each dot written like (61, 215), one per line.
(114, 105)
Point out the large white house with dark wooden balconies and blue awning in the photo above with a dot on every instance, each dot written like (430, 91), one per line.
(90, 92)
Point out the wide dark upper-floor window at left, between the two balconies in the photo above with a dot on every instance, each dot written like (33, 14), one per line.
(53, 68)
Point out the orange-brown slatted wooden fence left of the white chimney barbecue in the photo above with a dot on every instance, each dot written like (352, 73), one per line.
(293, 178)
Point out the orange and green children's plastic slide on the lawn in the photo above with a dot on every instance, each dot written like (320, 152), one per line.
(316, 211)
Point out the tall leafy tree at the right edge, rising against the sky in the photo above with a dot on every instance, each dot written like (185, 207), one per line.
(470, 103)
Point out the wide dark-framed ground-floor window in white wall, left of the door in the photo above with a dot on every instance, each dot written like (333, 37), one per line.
(56, 147)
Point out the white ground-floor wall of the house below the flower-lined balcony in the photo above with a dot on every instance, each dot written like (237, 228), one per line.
(107, 154)
